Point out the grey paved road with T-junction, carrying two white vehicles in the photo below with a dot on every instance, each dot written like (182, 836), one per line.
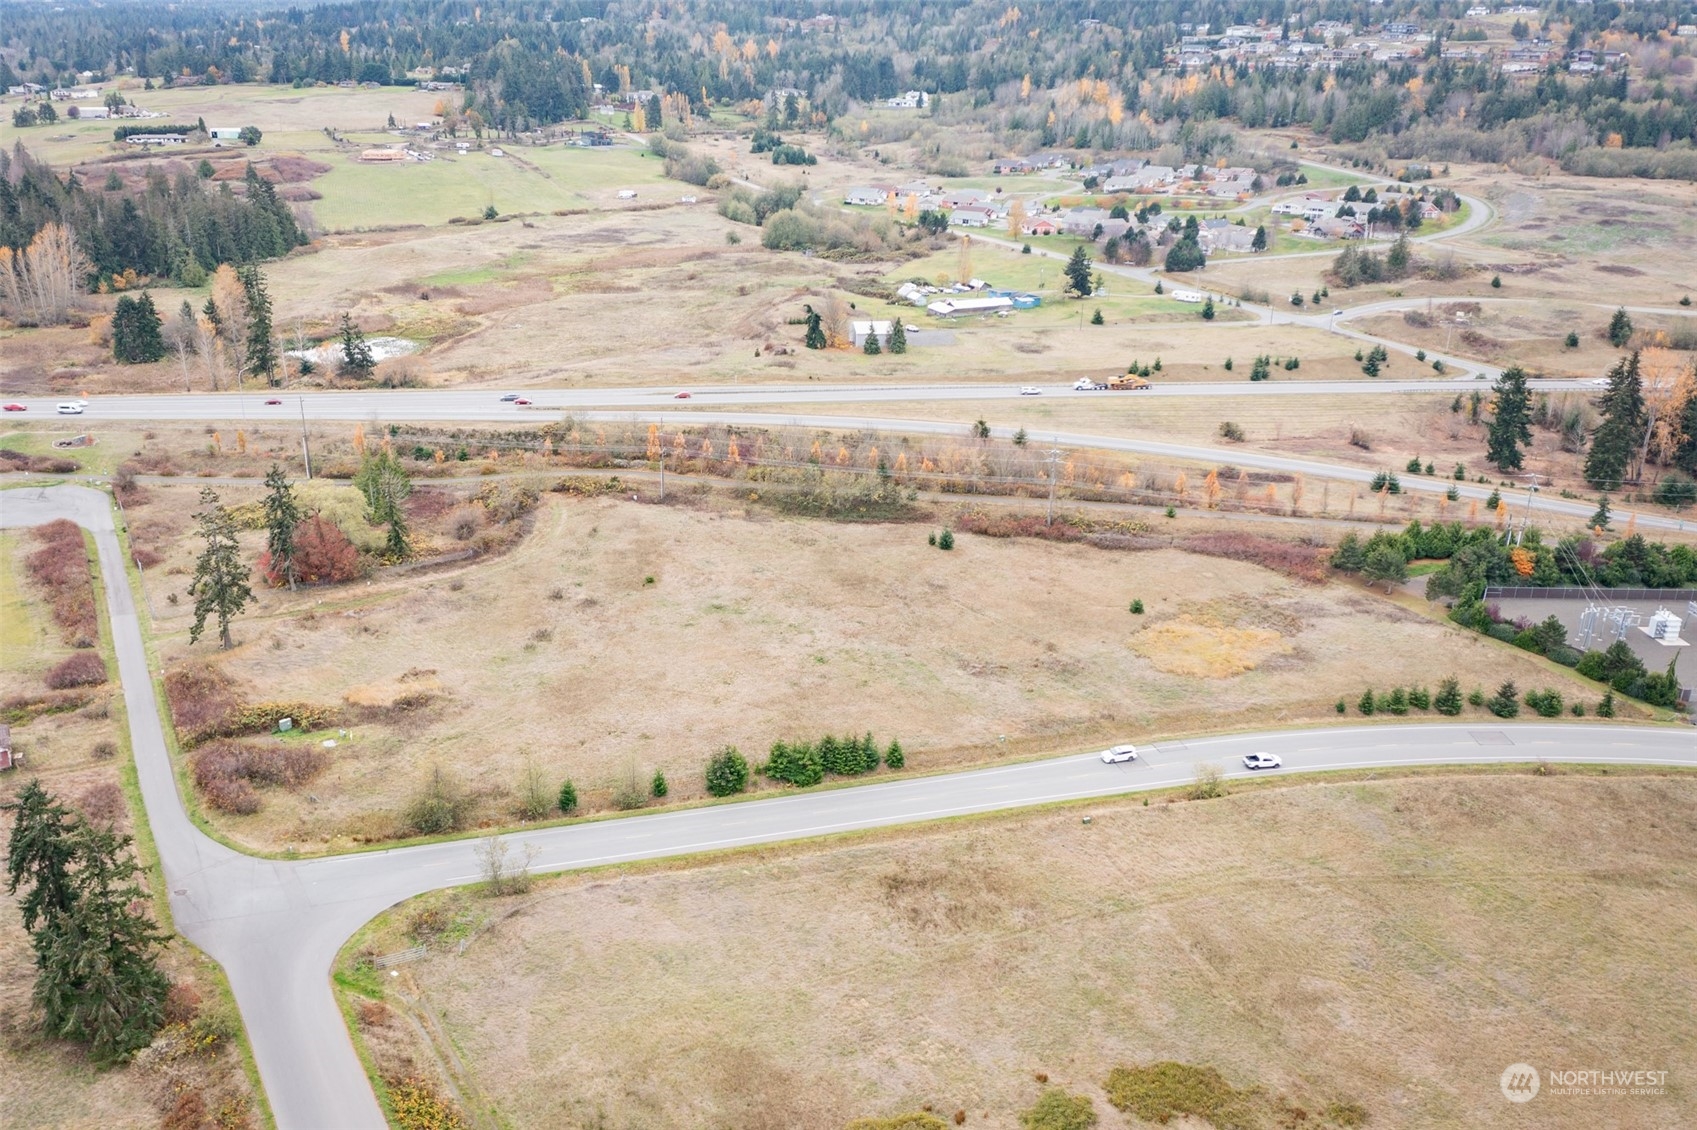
(276, 927)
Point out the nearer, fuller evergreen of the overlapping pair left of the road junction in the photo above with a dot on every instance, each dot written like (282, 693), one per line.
(96, 963)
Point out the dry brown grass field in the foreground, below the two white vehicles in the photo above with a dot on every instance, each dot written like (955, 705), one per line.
(1394, 944)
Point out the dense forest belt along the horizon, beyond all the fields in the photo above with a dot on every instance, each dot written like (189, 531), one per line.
(1067, 72)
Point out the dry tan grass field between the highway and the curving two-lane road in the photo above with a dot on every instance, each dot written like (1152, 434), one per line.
(632, 637)
